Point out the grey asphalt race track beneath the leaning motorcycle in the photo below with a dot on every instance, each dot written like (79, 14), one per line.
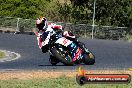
(109, 54)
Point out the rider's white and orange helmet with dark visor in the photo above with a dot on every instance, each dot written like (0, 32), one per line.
(41, 23)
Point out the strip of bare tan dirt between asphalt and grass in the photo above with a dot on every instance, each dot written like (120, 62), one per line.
(25, 75)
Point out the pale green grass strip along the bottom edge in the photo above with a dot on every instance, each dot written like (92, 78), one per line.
(61, 82)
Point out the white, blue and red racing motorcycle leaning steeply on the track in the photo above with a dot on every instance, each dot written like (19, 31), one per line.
(64, 50)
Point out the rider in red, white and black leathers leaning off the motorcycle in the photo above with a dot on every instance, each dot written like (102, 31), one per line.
(42, 25)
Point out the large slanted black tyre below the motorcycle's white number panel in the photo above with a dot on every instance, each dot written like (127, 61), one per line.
(64, 58)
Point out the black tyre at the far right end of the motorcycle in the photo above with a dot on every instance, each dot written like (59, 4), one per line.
(89, 59)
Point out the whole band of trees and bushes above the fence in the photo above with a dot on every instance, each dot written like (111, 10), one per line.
(108, 12)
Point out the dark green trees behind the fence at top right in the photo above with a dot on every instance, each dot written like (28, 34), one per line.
(108, 12)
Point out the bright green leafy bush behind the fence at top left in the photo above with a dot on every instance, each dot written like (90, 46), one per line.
(23, 8)
